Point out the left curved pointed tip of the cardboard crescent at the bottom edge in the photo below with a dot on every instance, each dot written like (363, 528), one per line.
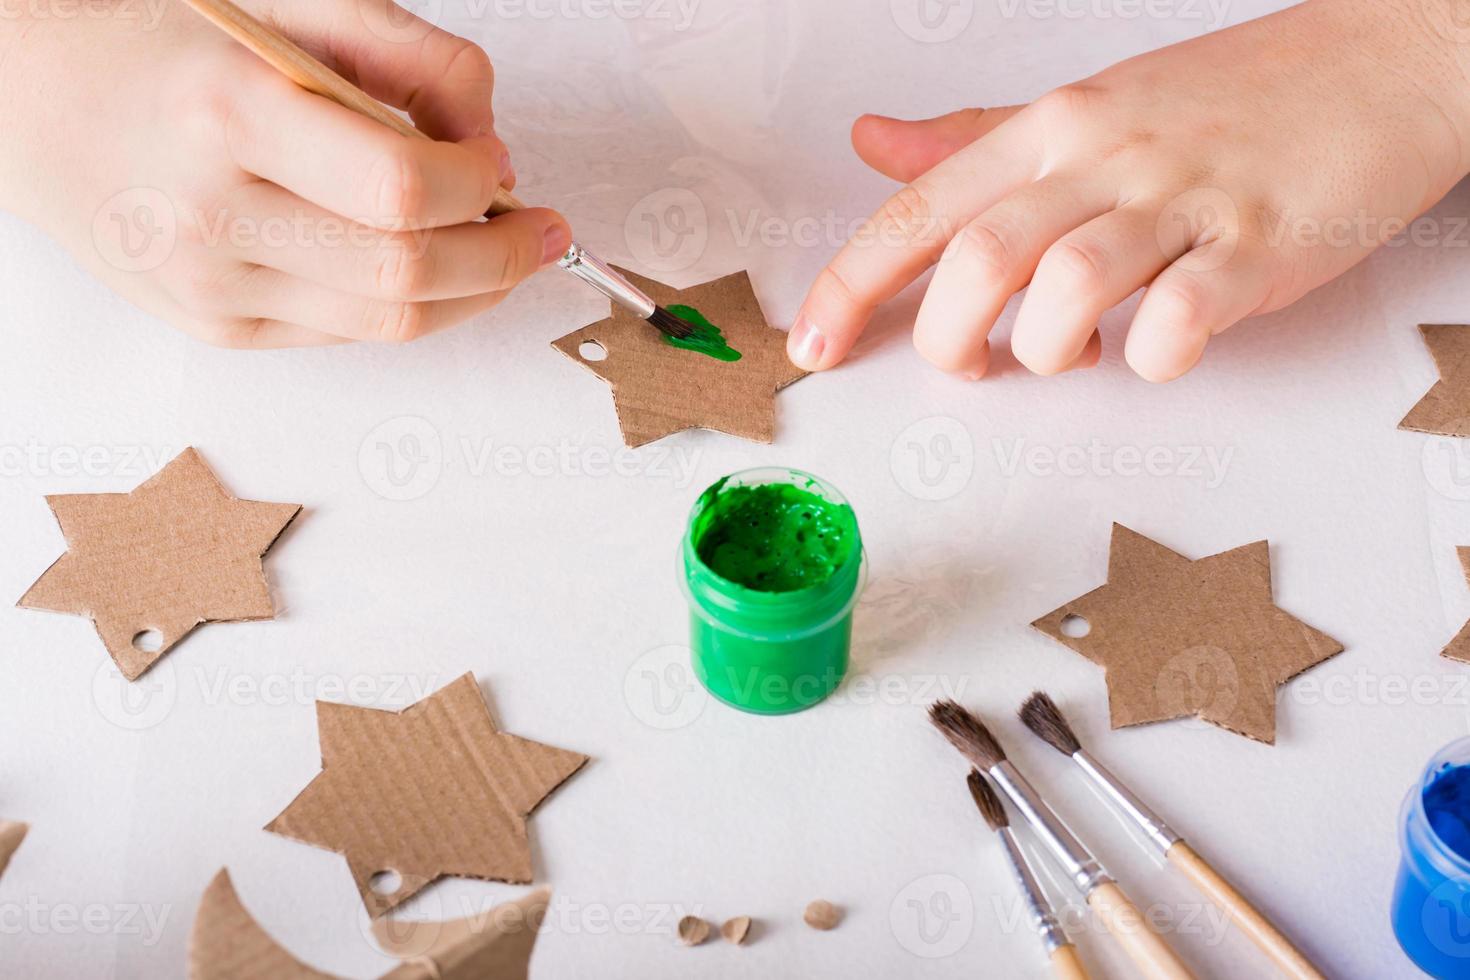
(229, 944)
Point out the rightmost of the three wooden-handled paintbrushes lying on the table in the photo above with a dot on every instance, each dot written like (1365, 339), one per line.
(1044, 718)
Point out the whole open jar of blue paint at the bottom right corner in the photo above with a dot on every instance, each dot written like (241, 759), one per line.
(1433, 894)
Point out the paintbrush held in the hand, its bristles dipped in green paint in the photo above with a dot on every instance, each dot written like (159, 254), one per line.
(308, 73)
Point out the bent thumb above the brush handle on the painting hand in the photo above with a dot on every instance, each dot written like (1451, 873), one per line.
(445, 83)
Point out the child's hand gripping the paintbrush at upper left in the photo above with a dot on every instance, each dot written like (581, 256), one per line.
(204, 186)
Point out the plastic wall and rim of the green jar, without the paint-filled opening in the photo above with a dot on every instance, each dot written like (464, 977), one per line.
(771, 652)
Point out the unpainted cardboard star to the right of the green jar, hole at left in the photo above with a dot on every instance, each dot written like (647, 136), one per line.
(1183, 638)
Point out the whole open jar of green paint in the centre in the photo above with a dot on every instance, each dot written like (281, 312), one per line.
(772, 568)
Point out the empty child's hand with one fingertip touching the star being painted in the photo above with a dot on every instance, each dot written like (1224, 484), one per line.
(1230, 176)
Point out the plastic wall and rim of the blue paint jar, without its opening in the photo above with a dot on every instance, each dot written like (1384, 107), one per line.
(1433, 894)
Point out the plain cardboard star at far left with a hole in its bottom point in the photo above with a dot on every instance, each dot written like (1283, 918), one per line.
(176, 553)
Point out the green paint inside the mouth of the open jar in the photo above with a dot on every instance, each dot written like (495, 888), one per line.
(774, 538)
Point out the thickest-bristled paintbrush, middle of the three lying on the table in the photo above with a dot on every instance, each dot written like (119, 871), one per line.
(1149, 951)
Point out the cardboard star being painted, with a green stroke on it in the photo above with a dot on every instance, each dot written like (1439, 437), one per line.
(661, 390)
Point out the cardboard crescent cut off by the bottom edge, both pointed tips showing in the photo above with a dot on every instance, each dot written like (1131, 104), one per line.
(229, 944)
